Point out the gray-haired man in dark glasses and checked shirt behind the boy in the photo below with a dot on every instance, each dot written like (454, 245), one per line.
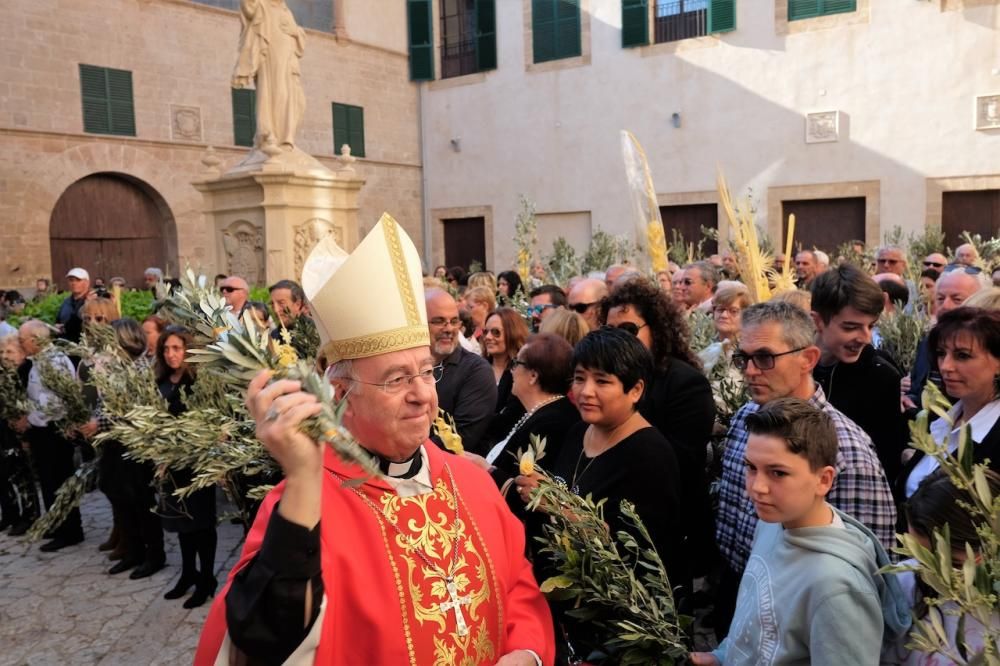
(777, 353)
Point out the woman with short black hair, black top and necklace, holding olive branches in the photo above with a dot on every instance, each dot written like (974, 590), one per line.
(615, 454)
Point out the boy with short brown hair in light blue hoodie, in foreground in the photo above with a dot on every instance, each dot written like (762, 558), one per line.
(810, 593)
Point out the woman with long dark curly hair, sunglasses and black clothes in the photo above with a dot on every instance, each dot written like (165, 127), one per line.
(678, 403)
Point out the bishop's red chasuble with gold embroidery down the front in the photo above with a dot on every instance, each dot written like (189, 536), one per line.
(385, 605)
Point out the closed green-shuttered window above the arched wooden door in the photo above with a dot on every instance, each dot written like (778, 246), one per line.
(107, 100)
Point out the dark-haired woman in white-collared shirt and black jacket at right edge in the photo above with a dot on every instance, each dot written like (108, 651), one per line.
(965, 349)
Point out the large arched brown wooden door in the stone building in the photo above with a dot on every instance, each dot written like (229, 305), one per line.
(109, 226)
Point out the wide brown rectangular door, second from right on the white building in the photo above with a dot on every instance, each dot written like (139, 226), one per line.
(824, 224)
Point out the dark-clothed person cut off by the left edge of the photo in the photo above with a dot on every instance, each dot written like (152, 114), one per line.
(18, 497)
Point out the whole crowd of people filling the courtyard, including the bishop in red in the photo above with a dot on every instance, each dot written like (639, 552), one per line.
(604, 368)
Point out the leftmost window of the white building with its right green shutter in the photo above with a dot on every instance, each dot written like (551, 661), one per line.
(468, 37)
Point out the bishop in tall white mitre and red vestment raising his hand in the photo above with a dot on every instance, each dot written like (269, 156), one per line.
(422, 564)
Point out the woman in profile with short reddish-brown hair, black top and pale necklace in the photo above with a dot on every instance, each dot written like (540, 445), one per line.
(541, 379)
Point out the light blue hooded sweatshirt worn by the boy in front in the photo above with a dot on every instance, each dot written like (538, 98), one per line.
(812, 595)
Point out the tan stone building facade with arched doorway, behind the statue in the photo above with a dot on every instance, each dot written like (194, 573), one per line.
(181, 55)
